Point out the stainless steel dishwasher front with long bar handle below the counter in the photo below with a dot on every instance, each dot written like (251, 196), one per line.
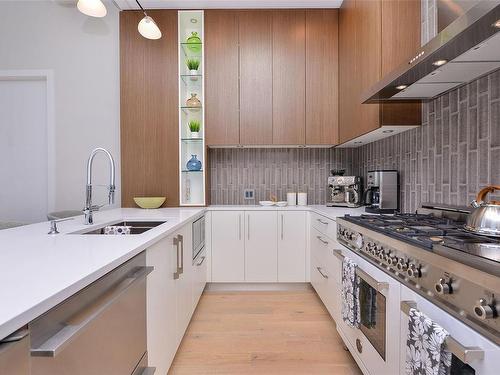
(99, 330)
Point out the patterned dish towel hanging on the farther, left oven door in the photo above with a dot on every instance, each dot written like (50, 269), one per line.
(350, 293)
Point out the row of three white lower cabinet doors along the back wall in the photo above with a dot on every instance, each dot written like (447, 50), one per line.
(258, 246)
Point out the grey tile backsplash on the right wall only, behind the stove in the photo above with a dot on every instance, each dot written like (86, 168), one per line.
(452, 155)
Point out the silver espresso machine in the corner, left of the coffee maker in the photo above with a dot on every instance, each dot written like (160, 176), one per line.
(343, 191)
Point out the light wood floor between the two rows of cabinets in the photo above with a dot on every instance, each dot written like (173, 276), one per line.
(262, 333)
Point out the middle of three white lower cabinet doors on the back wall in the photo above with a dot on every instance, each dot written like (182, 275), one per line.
(261, 253)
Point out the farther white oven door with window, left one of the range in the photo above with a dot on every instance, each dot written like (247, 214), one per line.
(375, 344)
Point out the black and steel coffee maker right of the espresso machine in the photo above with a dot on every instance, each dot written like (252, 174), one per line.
(382, 192)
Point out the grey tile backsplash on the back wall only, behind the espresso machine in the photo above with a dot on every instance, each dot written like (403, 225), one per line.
(273, 171)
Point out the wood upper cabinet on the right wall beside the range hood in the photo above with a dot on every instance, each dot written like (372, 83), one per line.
(376, 36)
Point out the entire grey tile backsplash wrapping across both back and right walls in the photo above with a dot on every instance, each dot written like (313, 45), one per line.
(447, 160)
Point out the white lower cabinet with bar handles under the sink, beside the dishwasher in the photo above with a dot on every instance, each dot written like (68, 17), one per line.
(173, 290)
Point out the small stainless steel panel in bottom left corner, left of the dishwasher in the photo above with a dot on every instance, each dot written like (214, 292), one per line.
(15, 354)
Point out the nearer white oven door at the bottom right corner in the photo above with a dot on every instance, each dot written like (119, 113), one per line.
(472, 353)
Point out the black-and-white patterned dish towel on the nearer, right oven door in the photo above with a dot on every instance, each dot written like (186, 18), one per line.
(425, 354)
